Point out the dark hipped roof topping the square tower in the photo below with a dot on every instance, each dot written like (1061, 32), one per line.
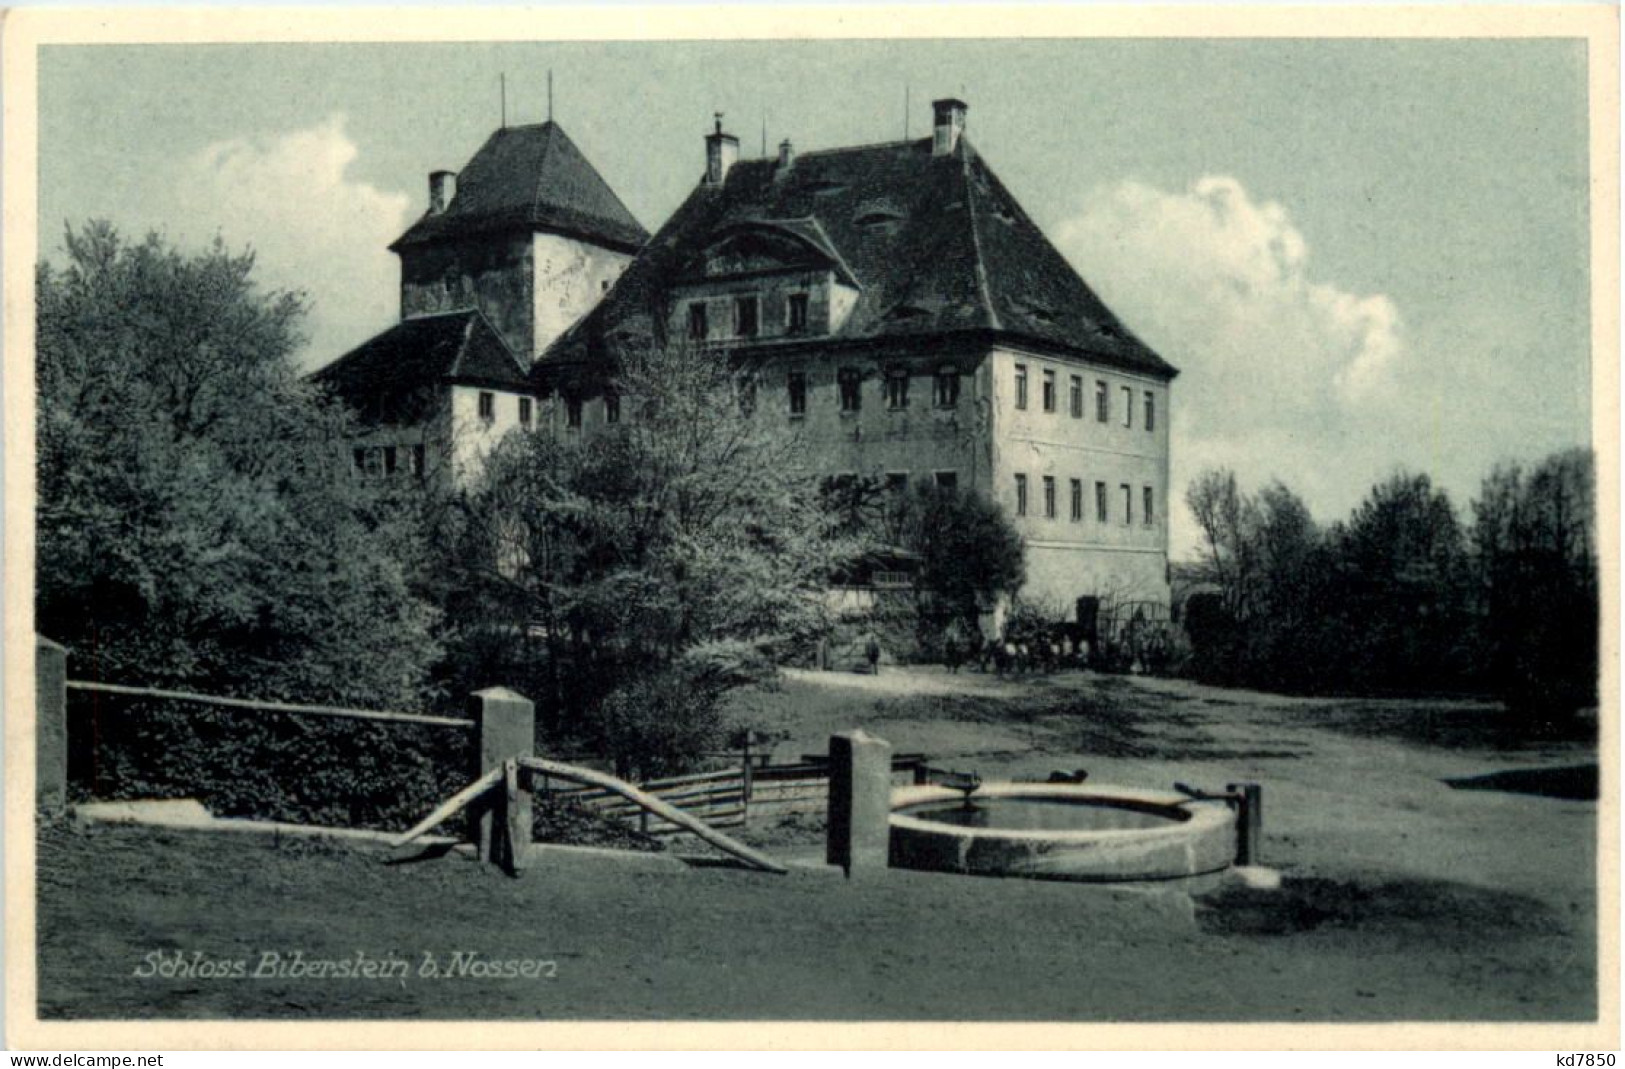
(531, 178)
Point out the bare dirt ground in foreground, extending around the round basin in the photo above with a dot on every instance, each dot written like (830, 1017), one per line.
(1405, 898)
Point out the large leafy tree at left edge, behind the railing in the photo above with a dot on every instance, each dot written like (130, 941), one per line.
(197, 524)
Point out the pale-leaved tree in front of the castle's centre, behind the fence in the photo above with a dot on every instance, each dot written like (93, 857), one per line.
(623, 558)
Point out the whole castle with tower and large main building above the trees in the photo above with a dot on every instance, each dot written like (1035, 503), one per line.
(898, 308)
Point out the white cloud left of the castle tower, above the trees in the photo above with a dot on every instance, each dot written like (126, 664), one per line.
(311, 223)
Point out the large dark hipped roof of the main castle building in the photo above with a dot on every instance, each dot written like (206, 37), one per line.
(937, 245)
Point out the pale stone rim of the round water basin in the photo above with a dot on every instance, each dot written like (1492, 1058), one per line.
(1203, 815)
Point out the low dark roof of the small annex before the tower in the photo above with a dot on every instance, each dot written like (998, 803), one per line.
(394, 376)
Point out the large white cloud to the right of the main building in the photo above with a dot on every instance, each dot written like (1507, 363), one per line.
(1283, 373)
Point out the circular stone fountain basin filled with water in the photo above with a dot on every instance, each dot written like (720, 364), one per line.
(1060, 831)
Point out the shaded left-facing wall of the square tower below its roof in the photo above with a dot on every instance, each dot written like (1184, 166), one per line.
(495, 275)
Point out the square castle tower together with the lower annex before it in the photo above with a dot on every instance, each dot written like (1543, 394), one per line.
(509, 254)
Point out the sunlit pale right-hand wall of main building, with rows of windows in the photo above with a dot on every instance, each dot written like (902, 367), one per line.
(1124, 558)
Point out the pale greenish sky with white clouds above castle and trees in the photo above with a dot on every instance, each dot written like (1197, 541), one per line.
(1364, 256)
